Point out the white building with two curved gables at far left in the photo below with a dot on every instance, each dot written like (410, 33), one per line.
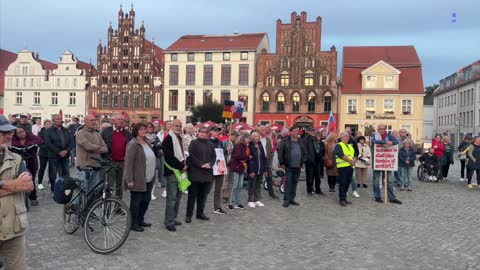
(43, 89)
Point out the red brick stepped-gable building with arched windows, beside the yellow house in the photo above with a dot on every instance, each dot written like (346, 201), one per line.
(297, 84)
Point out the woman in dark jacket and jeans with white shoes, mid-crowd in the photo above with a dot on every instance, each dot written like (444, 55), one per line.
(256, 170)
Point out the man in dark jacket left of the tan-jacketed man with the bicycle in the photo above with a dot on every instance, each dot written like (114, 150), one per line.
(59, 145)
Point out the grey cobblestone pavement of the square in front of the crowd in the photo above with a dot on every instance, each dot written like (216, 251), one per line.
(433, 229)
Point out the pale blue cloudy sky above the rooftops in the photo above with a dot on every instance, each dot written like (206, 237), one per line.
(444, 43)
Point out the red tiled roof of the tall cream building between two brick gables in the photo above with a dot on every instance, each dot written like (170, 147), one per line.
(206, 43)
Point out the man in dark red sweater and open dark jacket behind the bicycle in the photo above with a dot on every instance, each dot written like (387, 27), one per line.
(116, 137)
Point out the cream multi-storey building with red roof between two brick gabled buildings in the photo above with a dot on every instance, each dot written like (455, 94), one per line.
(202, 69)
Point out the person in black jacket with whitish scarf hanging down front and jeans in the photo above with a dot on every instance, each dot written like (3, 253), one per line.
(174, 156)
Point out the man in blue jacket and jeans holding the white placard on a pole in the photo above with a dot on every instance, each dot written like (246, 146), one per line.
(381, 137)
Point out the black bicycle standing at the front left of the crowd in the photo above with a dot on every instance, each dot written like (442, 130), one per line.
(98, 213)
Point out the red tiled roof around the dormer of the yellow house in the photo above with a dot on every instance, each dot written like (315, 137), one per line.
(403, 58)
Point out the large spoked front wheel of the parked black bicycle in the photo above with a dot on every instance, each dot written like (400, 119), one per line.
(107, 225)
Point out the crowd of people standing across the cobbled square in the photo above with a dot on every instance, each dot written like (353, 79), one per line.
(218, 158)
